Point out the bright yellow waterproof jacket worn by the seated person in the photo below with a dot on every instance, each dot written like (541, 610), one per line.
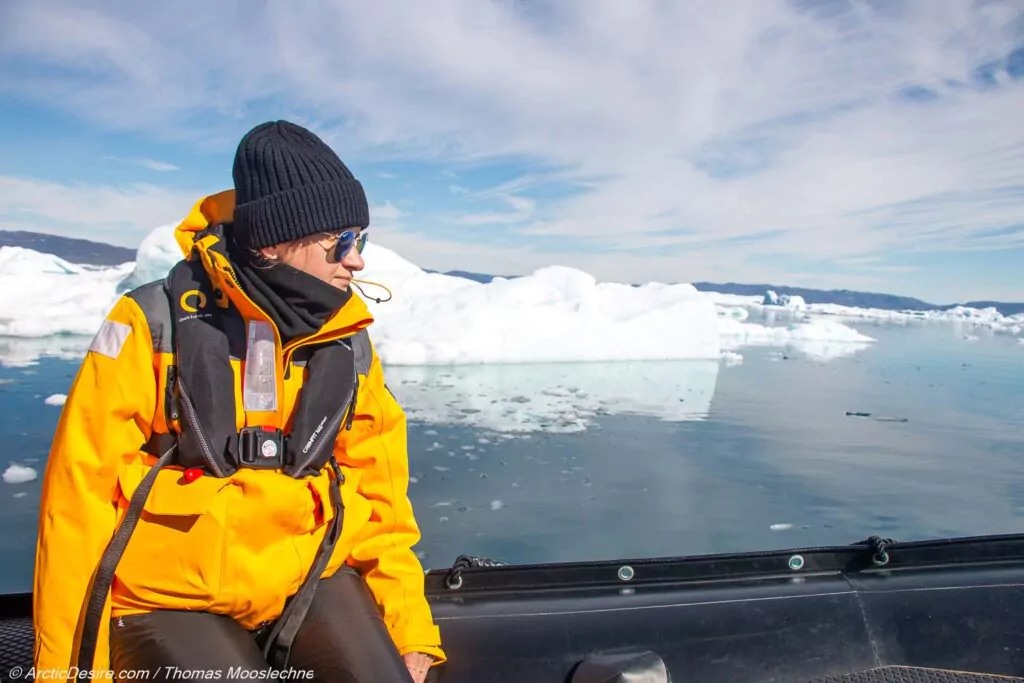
(237, 546)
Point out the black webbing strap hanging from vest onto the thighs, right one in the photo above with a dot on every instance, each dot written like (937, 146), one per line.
(279, 644)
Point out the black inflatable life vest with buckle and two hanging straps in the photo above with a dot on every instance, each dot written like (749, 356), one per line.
(202, 403)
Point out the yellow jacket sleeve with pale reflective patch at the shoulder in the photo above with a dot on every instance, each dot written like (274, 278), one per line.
(105, 421)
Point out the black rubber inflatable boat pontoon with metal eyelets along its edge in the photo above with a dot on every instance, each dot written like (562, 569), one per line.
(950, 611)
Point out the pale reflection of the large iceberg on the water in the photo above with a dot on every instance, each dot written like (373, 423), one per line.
(564, 398)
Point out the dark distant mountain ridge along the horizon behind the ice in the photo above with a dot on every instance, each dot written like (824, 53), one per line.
(97, 253)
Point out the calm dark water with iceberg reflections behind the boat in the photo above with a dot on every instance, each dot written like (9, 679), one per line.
(584, 461)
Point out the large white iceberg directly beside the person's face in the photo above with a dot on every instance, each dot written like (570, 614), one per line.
(554, 315)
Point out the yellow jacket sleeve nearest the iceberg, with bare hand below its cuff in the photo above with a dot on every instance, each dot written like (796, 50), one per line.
(385, 551)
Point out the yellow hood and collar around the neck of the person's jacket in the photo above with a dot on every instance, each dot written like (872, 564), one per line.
(194, 236)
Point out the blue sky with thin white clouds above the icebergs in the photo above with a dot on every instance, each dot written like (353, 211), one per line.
(862, 145)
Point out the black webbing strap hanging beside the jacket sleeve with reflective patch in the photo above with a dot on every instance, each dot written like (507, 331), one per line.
(109, 564)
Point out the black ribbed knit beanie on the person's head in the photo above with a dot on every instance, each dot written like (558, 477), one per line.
(289, 185)
